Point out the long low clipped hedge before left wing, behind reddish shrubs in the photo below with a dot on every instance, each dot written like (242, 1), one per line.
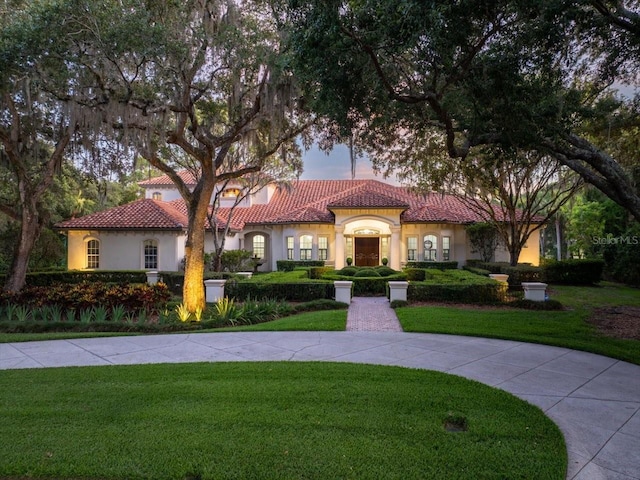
(45, 279)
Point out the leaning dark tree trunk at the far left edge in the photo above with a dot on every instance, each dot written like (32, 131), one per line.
(29, 232)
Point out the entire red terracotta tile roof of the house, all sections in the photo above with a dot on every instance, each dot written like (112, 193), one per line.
(309, 201)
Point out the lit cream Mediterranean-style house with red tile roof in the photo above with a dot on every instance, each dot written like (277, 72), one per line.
(328, 220)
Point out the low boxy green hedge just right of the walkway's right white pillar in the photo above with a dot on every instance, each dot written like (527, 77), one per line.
(490, 293)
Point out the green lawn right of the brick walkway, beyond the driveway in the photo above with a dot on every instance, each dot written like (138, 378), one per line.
(567, 328)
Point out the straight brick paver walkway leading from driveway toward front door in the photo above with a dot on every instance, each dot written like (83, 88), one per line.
(372, 314)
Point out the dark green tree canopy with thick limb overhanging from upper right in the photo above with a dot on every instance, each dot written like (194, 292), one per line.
(518, 74)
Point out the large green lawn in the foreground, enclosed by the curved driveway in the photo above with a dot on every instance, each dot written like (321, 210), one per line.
(267, 421)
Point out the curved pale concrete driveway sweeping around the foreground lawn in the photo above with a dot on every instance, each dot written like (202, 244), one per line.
(594, 400)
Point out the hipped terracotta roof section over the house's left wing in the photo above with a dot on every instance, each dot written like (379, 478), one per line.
(145, 214)
